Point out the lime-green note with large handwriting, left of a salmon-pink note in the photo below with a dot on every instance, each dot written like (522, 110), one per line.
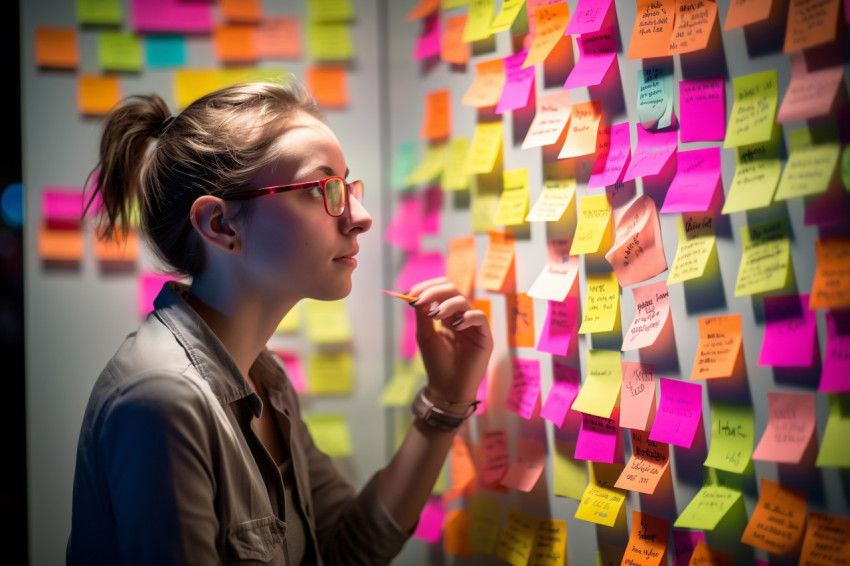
(732, 431)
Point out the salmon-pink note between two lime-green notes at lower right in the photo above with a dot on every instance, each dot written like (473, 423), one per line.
(790, 424)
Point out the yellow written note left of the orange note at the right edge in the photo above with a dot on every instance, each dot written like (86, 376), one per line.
(766, 258)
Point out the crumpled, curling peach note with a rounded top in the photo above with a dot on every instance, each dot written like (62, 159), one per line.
(637, 253)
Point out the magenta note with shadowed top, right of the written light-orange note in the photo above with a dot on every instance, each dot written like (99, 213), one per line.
(790, 332)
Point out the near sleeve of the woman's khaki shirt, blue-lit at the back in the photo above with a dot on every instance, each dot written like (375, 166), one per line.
(155, 445)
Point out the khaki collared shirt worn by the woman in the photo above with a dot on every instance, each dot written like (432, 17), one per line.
(169, 470)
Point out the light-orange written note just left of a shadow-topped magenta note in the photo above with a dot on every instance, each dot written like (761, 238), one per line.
(720, 342)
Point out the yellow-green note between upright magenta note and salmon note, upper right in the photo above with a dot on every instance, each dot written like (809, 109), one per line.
(753, 110)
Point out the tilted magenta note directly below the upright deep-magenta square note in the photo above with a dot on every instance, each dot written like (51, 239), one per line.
(696, 182)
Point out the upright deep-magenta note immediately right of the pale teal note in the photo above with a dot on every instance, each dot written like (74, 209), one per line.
(702, 109)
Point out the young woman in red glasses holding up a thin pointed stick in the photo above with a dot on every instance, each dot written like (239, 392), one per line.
(192, 449)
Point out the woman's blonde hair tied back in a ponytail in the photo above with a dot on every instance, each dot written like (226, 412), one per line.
(216, 145)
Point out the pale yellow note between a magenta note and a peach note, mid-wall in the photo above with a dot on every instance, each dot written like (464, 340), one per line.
(601, 389)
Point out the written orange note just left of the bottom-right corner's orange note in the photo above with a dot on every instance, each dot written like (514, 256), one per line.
(778, 520)
